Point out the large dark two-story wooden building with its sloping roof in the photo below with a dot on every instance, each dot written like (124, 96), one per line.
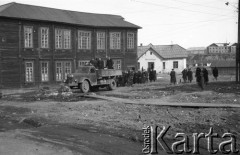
(43, 45)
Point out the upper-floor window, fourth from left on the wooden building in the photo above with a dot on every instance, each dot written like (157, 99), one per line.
(84, 40)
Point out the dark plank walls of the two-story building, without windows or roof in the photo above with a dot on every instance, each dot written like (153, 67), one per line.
(13, 54)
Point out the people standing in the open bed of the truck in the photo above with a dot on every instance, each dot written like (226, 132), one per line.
(99, 63)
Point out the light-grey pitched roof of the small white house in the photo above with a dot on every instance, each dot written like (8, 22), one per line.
(165, 51)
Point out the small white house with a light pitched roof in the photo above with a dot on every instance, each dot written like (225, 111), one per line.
(162, 58)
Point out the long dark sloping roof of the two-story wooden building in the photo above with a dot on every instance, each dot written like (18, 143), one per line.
(30, 12)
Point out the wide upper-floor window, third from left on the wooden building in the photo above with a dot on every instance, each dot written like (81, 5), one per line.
(62, 39)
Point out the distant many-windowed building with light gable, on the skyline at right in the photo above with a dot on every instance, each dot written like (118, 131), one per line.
(218, 48)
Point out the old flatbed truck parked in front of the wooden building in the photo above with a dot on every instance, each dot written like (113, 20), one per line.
(88, 78)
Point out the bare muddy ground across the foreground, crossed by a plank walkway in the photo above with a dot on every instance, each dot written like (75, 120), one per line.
(45, 121)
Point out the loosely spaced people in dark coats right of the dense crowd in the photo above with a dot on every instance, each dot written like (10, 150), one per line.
(201, 76)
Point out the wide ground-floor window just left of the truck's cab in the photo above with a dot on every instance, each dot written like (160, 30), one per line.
(63, 68)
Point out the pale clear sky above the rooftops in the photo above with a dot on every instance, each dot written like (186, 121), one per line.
(188, 23)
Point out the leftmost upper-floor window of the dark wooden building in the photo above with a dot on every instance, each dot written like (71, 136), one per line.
(28, 37)
